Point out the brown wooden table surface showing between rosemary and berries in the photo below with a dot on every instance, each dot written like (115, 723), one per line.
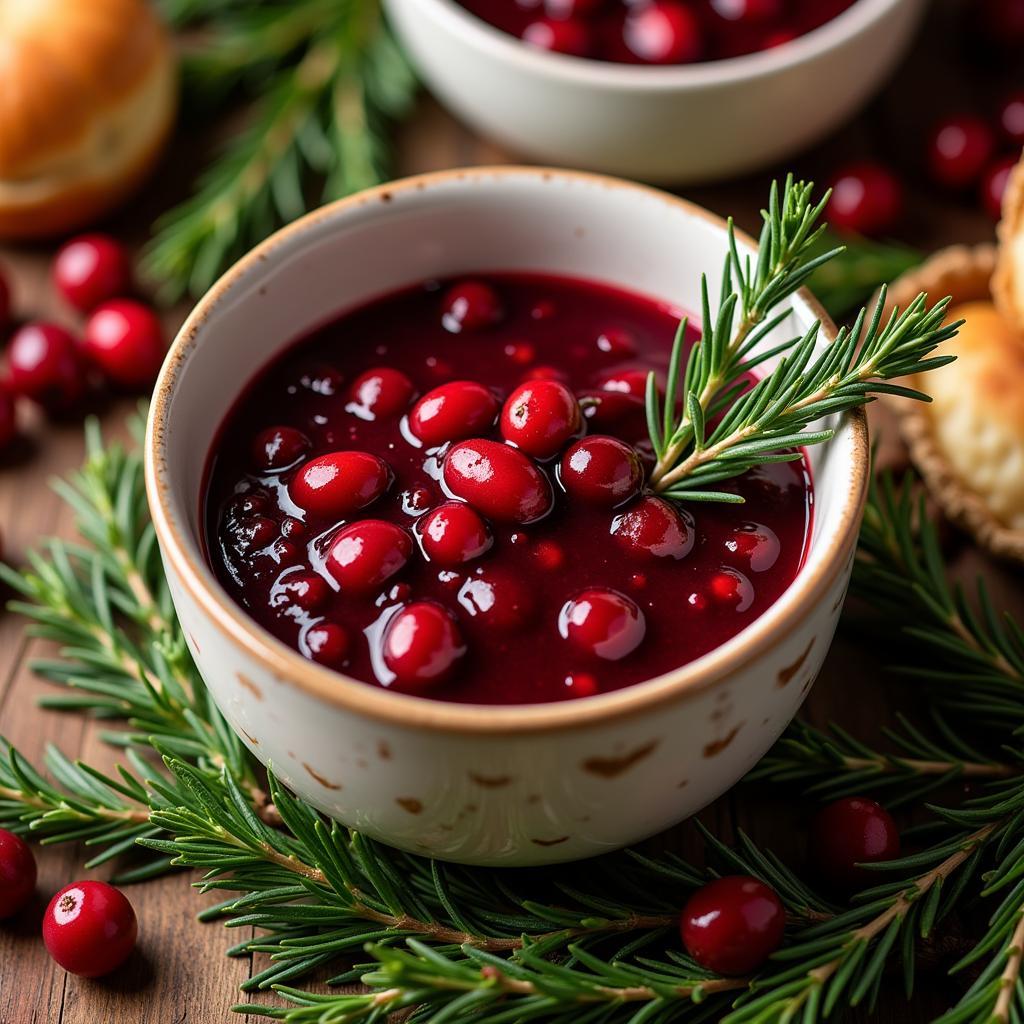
(180, 973)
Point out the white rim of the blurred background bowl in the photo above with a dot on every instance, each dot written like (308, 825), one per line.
(858, 19)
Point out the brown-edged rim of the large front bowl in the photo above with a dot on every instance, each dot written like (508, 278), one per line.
(289, 668)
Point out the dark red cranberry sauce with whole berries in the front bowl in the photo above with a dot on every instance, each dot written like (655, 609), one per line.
(442, 493)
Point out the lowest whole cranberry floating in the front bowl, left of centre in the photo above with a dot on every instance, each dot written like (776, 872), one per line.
(422, 645)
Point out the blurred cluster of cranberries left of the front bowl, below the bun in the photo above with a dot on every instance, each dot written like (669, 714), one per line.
(121, 343)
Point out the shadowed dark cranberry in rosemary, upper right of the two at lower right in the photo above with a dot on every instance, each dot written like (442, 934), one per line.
(849, 833)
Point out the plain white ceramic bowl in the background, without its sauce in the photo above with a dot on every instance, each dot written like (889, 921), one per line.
(682, 124)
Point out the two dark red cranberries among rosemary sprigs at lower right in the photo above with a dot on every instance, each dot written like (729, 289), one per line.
(733, 925)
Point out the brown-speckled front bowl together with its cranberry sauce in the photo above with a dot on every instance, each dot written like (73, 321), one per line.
(337, 303)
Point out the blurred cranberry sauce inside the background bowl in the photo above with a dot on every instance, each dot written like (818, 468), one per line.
(657, 32)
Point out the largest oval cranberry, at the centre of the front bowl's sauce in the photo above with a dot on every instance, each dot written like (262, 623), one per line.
(497, 481)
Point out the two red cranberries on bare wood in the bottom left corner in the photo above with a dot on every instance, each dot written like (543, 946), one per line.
(90, 928)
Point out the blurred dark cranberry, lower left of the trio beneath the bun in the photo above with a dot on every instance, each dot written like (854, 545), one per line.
(46, 366)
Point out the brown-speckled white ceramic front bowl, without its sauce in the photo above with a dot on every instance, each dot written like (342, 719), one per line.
(483, 785)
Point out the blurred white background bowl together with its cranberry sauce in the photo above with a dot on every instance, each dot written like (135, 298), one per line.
(673, 122)
